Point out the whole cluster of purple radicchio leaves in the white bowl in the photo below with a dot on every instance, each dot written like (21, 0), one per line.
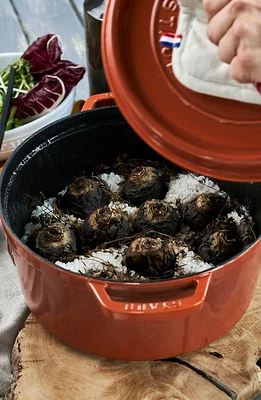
(55, 78)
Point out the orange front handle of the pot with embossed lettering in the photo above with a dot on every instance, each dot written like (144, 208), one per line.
(150, 310)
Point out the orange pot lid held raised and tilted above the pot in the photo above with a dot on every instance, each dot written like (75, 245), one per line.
(216, 137)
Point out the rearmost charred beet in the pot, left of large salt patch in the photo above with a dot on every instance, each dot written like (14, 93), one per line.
(144, 183)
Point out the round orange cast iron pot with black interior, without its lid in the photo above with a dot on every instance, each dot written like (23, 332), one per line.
(130, 321)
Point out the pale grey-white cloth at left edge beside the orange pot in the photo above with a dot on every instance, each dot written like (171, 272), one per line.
(13, 312)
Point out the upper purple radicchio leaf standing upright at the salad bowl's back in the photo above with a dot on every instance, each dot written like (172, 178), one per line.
(43, 53)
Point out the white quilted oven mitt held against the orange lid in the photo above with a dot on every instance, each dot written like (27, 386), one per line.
(196, 63)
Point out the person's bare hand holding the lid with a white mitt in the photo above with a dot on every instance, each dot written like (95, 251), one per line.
(235, 27)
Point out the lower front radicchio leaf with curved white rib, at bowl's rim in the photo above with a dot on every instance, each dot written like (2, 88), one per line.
(43, 97)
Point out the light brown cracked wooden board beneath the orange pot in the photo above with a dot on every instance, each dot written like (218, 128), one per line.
(44, 368)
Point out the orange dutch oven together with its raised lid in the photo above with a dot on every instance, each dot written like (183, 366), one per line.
(145, 320)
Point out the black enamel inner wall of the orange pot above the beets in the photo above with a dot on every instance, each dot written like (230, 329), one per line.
(74, 144)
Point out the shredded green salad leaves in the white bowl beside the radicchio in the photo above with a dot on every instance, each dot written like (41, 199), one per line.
(23, 82)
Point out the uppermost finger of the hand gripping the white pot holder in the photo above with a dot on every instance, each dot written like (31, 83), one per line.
(223, 20)
